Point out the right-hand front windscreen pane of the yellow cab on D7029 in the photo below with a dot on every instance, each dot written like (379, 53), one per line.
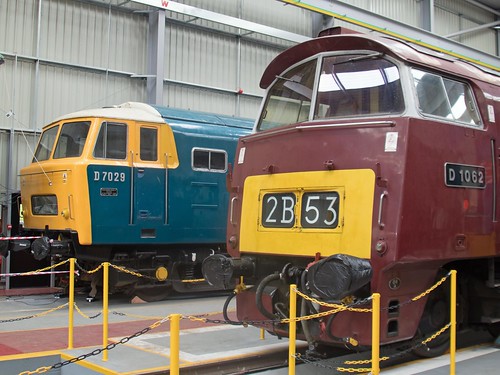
(72, 139)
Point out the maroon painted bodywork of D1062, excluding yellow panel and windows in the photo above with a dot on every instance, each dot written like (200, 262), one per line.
(428, 225)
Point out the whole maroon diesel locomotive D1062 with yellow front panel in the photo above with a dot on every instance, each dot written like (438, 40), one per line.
(374, 167)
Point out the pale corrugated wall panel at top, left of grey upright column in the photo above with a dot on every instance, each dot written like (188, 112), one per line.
(84, 34)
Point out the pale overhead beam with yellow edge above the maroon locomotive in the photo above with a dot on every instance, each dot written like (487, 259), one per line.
(398, 30)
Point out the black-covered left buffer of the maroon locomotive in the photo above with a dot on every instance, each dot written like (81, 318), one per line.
(219, 270)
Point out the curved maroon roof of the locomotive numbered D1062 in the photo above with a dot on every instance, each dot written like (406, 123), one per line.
(386, 45)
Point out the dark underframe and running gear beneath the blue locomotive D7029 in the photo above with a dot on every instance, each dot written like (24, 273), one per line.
(179, 263)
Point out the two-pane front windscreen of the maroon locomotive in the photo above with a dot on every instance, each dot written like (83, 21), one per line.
(348, 85)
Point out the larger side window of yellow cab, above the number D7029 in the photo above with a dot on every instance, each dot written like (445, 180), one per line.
(112, 141)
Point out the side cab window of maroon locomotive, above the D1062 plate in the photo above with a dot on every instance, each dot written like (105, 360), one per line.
(446, 98)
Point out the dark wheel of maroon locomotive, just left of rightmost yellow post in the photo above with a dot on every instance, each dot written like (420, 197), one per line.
(436, 315)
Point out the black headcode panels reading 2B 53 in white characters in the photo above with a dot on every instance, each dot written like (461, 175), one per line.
(317, 210)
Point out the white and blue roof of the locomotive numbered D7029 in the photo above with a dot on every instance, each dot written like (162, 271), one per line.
(147, 113)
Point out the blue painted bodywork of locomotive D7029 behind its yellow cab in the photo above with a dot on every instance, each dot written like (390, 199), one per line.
(197, 201)
